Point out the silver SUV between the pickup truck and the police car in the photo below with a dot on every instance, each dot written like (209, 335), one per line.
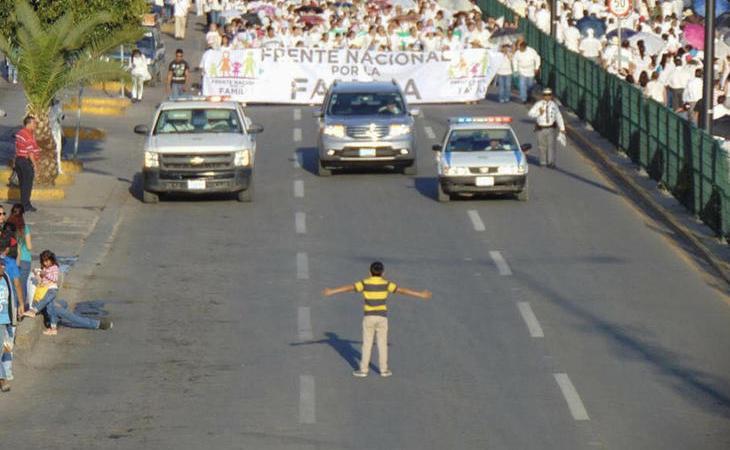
(366, 124)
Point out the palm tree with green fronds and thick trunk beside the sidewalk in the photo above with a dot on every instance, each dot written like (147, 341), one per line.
(53, 57)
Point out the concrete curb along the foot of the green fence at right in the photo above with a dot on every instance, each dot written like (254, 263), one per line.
(614, 170)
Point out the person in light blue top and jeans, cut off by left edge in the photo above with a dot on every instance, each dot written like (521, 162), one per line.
(8, 323)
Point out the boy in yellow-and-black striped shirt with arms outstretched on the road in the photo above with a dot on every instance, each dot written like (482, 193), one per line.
(375, 290)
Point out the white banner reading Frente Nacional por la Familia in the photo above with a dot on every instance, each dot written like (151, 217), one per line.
(302, 75)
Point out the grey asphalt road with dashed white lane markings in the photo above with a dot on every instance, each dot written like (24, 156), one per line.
(567, 322)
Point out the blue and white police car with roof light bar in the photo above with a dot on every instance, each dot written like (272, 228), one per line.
(481, 155)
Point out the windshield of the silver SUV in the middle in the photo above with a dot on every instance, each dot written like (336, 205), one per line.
(366, 104)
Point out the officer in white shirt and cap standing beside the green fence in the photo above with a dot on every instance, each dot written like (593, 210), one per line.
(549, 127)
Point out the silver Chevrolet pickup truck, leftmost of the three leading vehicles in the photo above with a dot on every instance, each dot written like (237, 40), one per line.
(199, 146)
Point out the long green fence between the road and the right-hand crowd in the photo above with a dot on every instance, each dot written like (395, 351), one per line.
(688, 161)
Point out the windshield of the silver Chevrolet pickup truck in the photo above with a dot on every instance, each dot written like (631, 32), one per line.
(189, 121)
